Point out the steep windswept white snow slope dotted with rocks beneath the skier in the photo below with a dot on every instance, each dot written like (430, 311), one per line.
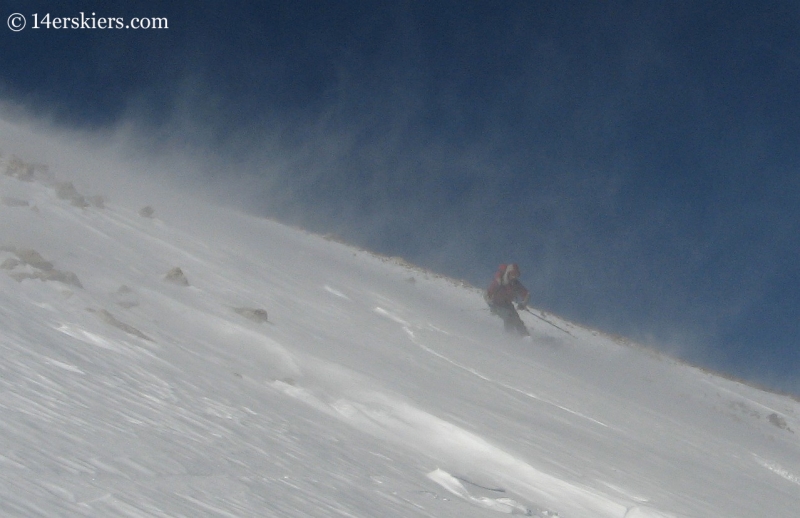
(207, 363)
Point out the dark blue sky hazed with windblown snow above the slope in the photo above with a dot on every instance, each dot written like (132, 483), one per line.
(640, 160)
